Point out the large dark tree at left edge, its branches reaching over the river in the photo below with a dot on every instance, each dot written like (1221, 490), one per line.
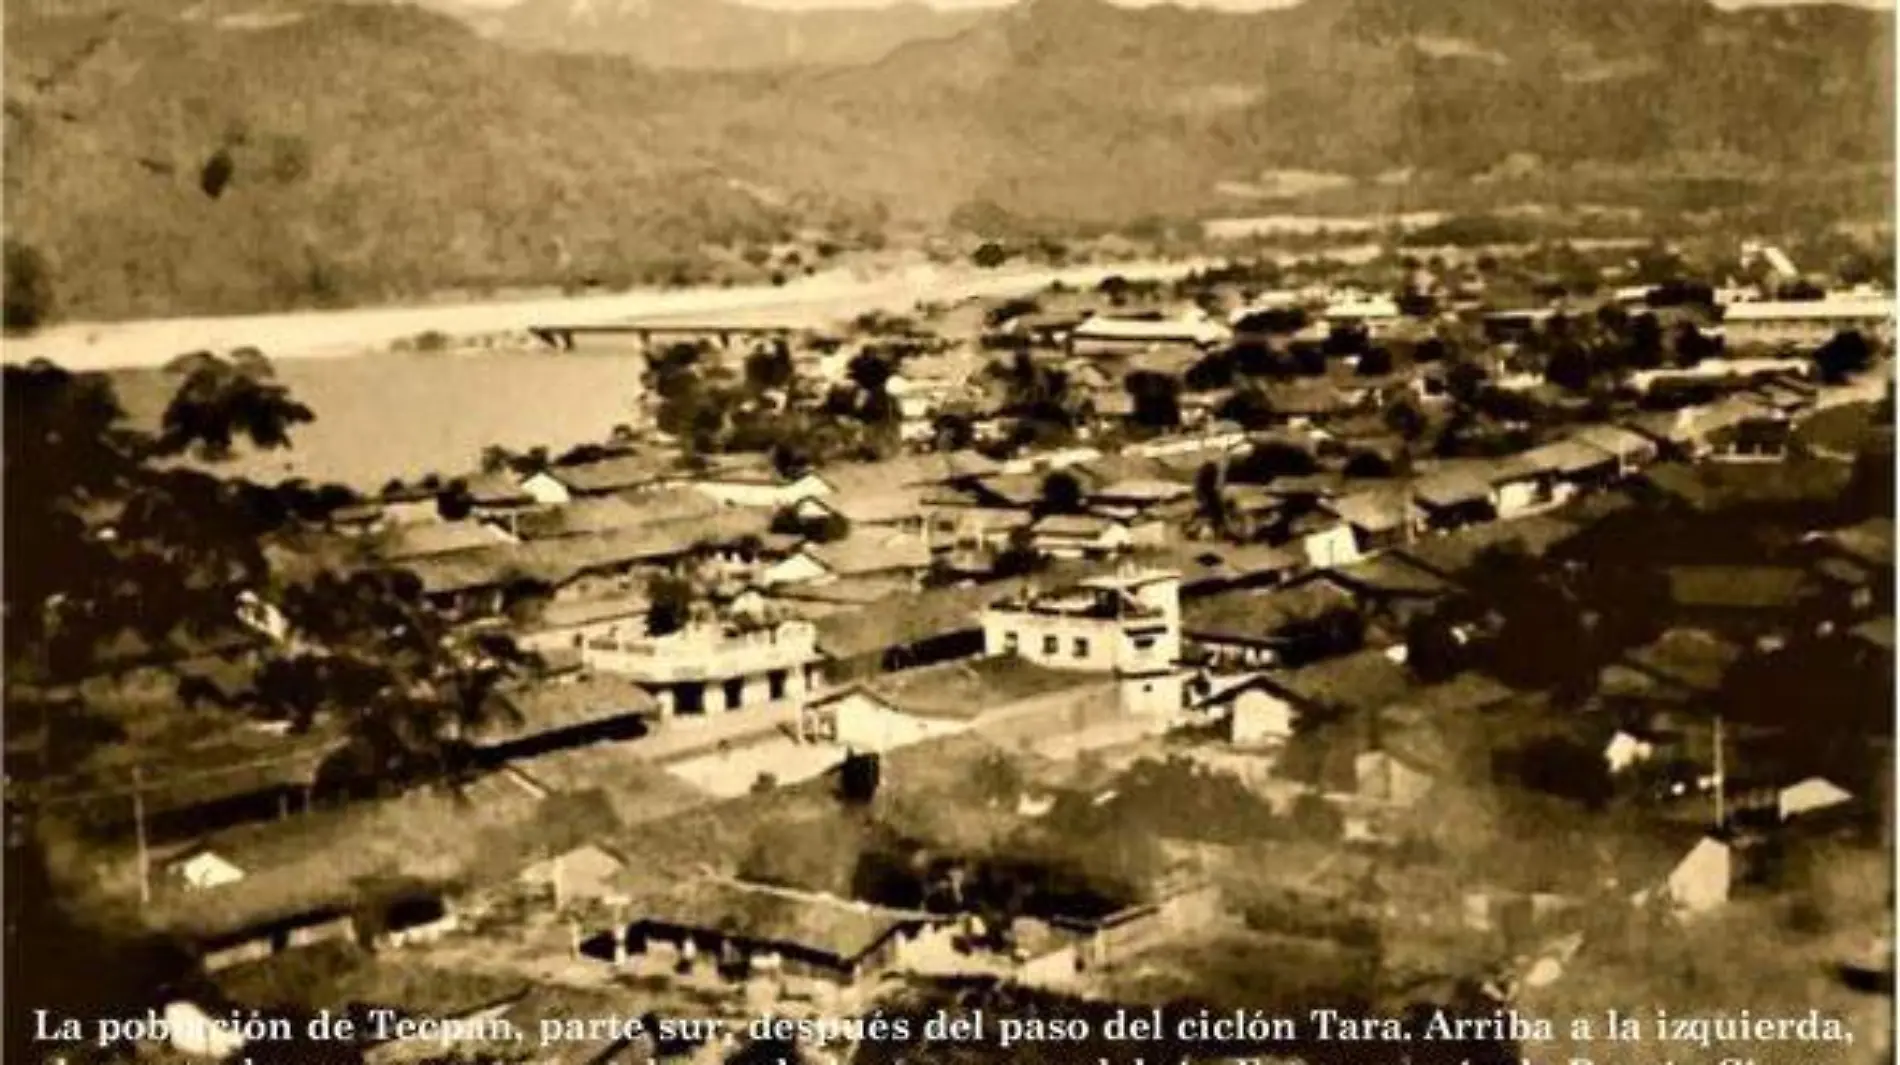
(187, 542)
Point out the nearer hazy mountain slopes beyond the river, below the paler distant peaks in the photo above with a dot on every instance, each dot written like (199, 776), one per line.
(233, 155)
